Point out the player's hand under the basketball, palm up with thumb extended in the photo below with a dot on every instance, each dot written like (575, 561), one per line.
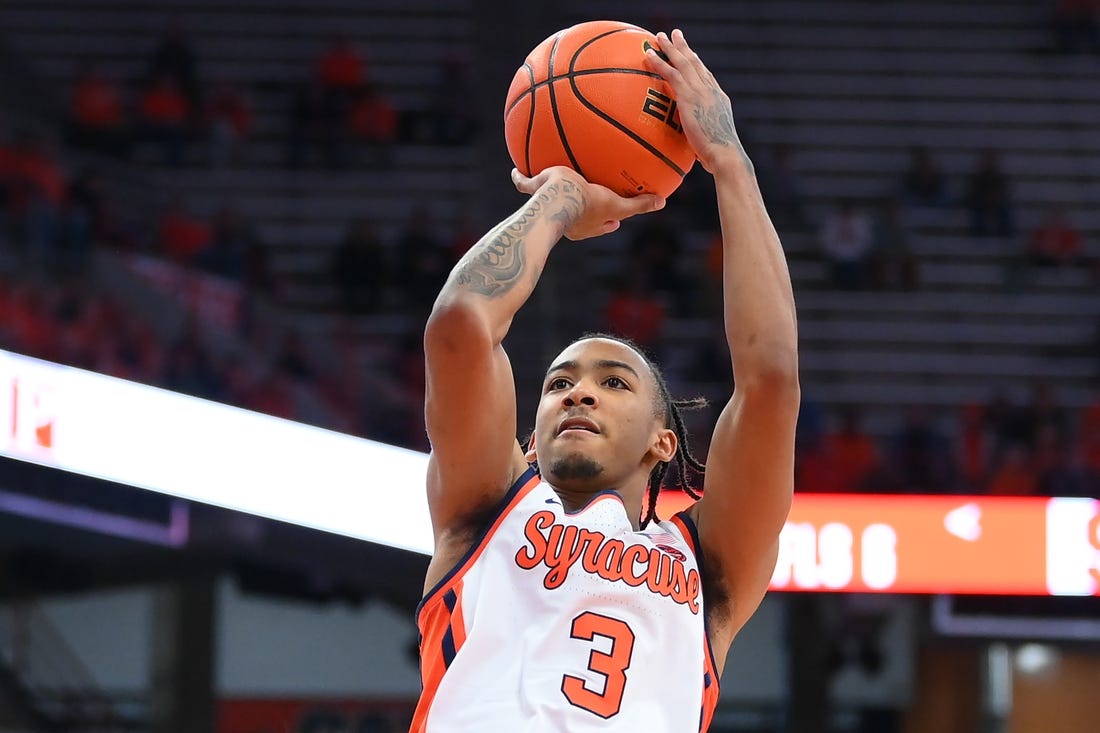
(588, 210)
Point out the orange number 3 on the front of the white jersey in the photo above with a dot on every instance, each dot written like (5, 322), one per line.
(611, 665)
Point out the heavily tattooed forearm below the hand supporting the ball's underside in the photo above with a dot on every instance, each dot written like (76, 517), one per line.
(499, 273)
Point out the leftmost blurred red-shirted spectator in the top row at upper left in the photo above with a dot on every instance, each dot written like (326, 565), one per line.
(98, 116)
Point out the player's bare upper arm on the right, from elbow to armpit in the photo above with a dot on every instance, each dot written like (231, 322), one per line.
(749, 489)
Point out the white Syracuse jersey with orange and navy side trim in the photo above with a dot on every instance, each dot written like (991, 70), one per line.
(568, 621)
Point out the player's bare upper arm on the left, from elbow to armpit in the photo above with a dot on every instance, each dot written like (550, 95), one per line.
(470, 414)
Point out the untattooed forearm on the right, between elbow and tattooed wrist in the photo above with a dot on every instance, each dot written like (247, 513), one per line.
(762, 327)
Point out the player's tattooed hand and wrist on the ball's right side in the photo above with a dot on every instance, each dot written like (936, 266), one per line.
(706, 113)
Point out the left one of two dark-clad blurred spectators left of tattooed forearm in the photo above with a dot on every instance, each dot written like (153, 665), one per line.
(360, 270)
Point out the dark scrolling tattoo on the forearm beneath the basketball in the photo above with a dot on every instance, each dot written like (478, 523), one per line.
(499, 261)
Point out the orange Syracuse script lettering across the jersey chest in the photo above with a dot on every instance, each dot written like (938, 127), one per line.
(562, 546)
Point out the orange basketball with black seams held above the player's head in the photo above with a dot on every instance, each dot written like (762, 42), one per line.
(586, 100)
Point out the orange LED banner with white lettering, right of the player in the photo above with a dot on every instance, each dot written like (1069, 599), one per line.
(895, 544)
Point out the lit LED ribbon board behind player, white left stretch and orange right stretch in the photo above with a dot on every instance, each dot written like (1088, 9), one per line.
(210, 453)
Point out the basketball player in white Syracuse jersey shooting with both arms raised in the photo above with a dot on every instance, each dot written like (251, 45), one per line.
(553, 601)
